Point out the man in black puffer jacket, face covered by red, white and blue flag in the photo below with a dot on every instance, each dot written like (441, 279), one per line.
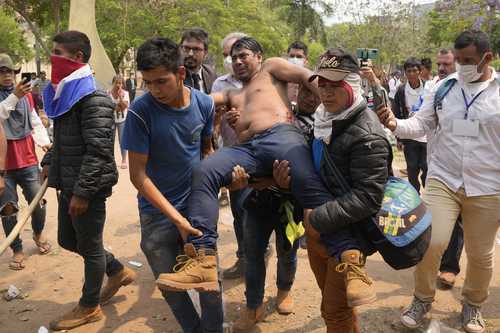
(81, 165)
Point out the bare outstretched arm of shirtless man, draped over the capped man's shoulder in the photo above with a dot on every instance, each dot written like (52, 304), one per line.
(287, 72)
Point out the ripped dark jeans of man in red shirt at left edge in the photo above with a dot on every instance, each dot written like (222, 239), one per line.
(29, 180)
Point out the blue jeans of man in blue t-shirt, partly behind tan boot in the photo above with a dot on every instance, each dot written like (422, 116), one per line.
(161, 243)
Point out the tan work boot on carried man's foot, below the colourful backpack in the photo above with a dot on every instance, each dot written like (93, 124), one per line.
(358, 284)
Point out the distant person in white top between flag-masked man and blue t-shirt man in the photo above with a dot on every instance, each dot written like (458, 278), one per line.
(121, 99)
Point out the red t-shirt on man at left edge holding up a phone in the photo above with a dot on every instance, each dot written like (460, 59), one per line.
(21, 153)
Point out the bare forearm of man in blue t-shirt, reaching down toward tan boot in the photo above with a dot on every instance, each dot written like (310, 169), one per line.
(145, 186)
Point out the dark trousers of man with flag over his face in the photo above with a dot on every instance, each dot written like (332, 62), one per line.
(83, 235)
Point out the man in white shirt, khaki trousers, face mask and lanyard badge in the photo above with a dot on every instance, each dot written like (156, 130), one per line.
(464, 174)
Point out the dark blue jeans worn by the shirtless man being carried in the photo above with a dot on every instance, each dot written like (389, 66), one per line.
(256, 156)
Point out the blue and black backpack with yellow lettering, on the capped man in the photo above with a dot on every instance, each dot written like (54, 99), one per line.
(401, 230)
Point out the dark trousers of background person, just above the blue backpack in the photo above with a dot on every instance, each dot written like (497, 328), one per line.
(416, 162)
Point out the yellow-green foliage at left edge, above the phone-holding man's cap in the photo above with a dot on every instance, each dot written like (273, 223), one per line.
(12, 39)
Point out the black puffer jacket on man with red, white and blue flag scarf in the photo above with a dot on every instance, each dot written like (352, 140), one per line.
(82, 156)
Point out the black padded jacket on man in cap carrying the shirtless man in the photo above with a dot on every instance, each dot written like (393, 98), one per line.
(360, 151)
